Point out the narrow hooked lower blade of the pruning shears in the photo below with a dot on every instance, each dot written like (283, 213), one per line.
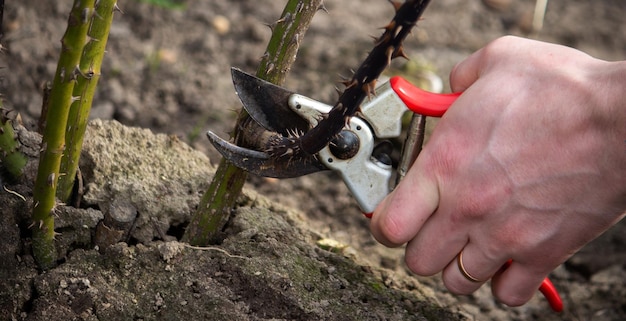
(261, 164)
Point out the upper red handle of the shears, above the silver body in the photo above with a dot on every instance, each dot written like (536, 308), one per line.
(420, 101)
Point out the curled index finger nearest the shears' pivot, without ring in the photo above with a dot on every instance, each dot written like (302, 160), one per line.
(403, 212)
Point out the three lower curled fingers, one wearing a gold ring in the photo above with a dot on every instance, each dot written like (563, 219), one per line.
(435, 248)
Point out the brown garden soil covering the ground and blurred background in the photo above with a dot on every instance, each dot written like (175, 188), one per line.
(167, 70)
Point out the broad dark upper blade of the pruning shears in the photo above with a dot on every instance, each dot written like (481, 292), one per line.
(267, 103)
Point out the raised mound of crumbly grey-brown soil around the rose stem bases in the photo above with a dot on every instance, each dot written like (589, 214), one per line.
(267, 267)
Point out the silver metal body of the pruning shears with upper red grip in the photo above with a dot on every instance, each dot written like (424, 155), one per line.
(368, 174)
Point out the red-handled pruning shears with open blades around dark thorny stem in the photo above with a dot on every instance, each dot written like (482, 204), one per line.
(359, 153)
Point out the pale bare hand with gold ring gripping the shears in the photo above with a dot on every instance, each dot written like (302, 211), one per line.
(529, 164)
